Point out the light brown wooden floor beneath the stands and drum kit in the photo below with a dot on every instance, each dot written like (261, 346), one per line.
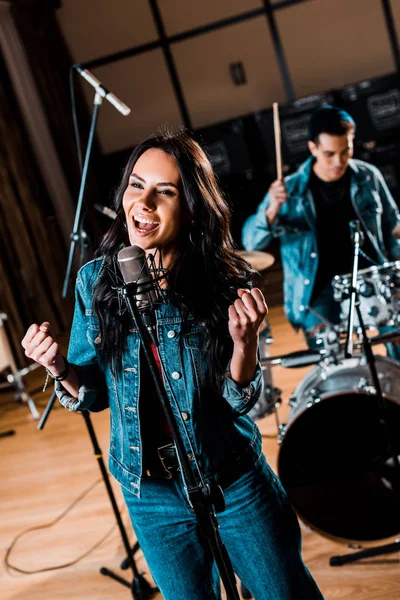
(43, 473)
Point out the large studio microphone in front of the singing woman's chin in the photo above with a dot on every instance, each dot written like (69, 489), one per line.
(134, 269)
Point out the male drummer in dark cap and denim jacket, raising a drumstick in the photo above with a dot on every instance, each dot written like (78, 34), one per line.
(310, 211)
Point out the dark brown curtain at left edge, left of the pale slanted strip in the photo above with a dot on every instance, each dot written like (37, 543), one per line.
(32, 254)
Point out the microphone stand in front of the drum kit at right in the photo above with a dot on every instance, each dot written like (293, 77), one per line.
(357, 238)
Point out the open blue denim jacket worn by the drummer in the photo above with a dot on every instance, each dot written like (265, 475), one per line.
(296, 227)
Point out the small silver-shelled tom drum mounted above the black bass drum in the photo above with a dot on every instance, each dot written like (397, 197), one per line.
(379, 293)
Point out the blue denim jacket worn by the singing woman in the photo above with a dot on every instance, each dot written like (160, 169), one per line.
(225, 440)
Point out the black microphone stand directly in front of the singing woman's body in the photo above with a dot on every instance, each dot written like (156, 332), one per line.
(202, 497)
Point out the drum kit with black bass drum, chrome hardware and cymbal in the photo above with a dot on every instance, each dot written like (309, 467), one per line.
(340, 473)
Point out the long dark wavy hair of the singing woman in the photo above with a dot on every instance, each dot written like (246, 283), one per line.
(206, 272)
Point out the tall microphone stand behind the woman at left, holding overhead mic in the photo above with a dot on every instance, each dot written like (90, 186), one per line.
(141, 589)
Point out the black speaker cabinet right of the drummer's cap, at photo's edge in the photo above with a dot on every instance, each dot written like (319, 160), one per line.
(374, 104)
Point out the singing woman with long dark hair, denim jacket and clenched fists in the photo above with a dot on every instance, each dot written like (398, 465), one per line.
(169, 204)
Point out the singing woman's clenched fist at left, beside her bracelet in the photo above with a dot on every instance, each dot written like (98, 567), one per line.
(40, 346)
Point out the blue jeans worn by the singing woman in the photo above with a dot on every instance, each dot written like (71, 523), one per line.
(259, 529)
